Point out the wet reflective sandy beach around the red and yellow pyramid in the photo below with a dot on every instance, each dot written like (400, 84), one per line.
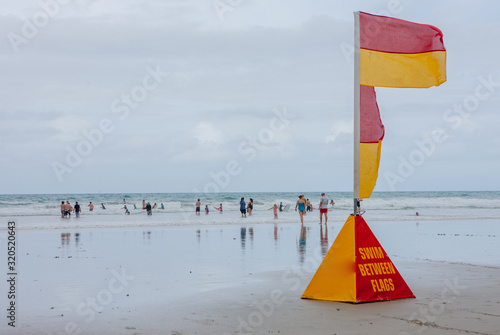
(247, 279)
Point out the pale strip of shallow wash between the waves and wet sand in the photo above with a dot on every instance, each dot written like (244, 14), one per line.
(188, 219)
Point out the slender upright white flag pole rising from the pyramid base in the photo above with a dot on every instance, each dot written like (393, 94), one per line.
(356, 111)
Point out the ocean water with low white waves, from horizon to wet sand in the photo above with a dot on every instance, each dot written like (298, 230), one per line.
(38, 211)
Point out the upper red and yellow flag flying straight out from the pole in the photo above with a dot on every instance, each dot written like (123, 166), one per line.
(398, 53)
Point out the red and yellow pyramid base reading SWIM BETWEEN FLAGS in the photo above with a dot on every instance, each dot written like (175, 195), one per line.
(357, 269)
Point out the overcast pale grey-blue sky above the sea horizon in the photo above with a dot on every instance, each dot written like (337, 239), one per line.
(234, 95)
